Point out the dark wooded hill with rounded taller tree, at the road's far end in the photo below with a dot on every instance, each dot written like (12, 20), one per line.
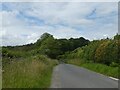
(53, 48)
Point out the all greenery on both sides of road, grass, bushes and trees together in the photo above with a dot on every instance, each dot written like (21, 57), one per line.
(31, 65)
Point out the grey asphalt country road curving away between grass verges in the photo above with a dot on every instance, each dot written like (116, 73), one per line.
(71, 76)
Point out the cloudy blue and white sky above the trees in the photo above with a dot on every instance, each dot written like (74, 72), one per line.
(24, 22)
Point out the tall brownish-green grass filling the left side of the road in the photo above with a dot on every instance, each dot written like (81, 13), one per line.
(32, 72)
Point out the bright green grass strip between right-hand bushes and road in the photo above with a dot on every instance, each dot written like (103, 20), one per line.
(100, 68)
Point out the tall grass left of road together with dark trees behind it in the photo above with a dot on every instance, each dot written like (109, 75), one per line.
(31, 65)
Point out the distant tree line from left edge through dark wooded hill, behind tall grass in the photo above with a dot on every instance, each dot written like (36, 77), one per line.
(46, 45)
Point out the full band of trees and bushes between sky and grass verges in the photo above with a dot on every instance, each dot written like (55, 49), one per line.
(105, 51)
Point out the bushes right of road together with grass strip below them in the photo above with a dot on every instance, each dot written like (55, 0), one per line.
(101, 56)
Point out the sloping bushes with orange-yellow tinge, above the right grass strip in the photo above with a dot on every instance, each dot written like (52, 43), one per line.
(105, 51)
